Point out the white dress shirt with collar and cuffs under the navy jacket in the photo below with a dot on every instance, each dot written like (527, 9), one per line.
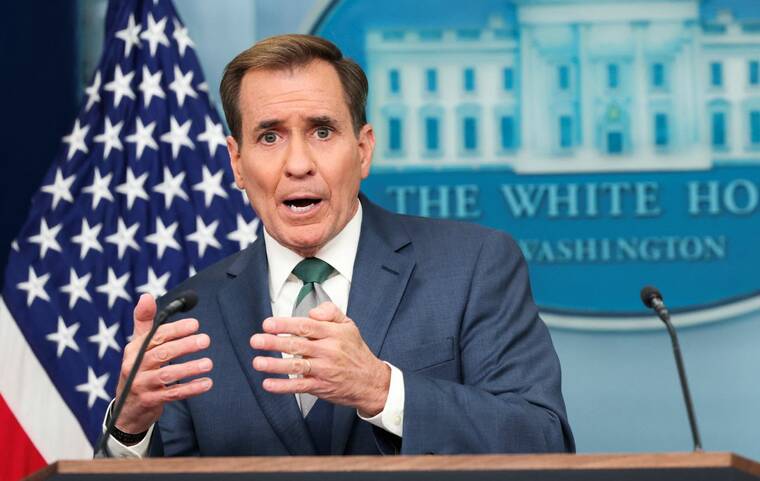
(340, 253)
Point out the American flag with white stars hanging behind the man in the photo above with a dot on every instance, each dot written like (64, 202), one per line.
(139, 196)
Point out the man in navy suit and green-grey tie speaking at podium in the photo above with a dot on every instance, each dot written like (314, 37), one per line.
(344, 329)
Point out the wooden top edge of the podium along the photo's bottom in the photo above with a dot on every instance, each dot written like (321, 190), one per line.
(291, 464)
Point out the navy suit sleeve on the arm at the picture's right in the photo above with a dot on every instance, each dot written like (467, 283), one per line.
(509, 399)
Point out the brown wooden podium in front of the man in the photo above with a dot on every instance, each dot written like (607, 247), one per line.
(549, 467)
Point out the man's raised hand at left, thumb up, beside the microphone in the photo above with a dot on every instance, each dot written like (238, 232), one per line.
(151, 388)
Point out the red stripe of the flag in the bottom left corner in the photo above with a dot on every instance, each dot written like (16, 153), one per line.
(21, 457)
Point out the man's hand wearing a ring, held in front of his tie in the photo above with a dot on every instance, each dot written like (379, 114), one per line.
(336, 364)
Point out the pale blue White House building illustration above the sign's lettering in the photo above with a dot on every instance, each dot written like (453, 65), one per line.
(570, 85)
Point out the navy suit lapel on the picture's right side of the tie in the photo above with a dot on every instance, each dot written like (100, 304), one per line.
(378, 268)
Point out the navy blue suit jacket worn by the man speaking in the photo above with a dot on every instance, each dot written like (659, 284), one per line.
(447, 303)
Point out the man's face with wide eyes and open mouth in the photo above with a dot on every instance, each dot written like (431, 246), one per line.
(300, 161)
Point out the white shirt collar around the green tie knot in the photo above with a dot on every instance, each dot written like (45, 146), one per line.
(339, 252)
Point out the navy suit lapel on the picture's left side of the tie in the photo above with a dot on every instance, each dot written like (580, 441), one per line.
(245, 303)
